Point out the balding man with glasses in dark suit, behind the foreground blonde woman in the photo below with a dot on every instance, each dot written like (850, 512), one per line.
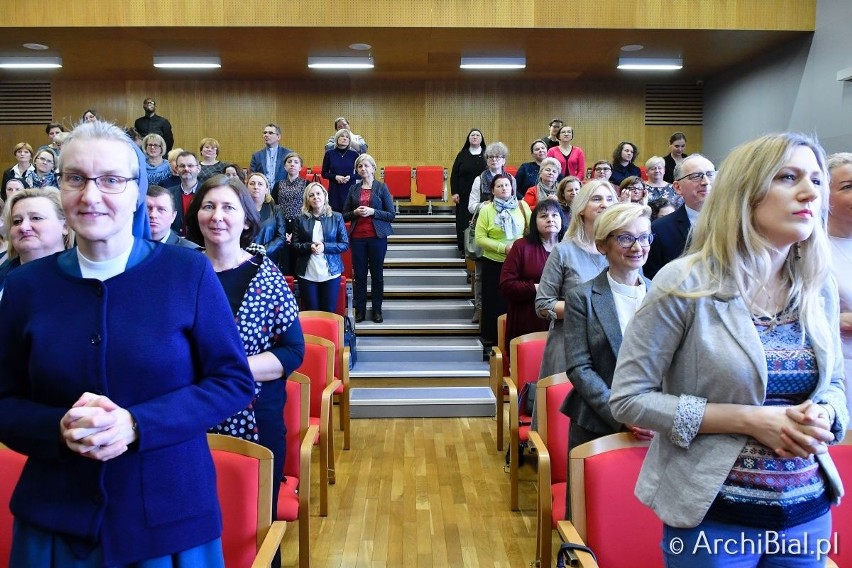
(693, 181)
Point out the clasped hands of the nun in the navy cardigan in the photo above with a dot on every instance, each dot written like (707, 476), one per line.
(97, 428)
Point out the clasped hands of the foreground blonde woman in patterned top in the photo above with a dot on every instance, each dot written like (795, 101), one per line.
(796, 431)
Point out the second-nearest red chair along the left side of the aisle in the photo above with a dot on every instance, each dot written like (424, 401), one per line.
(294, 497)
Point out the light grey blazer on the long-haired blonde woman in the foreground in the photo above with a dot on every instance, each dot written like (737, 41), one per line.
(679, 353)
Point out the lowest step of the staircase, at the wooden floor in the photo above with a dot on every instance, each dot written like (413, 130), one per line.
(418, 402)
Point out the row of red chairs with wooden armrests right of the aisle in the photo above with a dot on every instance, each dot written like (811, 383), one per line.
(605, 514)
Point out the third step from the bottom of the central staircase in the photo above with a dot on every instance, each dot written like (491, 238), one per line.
(418, 350)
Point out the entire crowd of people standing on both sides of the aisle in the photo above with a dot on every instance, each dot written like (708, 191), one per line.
(642, 279)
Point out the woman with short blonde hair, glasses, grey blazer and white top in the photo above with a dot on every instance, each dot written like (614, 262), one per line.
(596, 314)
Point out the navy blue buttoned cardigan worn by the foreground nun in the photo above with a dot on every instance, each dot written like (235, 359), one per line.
(160, 341)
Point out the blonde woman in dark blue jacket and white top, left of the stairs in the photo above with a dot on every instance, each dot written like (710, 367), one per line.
(319, 238)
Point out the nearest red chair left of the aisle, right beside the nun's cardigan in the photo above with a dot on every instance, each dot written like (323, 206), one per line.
(244, 484)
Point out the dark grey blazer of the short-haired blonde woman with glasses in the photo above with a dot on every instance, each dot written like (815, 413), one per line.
(592, 340)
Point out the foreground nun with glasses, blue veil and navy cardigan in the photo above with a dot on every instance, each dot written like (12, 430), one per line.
(110, 376)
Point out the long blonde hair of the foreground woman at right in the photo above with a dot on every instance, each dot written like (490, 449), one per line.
(736, 255)
